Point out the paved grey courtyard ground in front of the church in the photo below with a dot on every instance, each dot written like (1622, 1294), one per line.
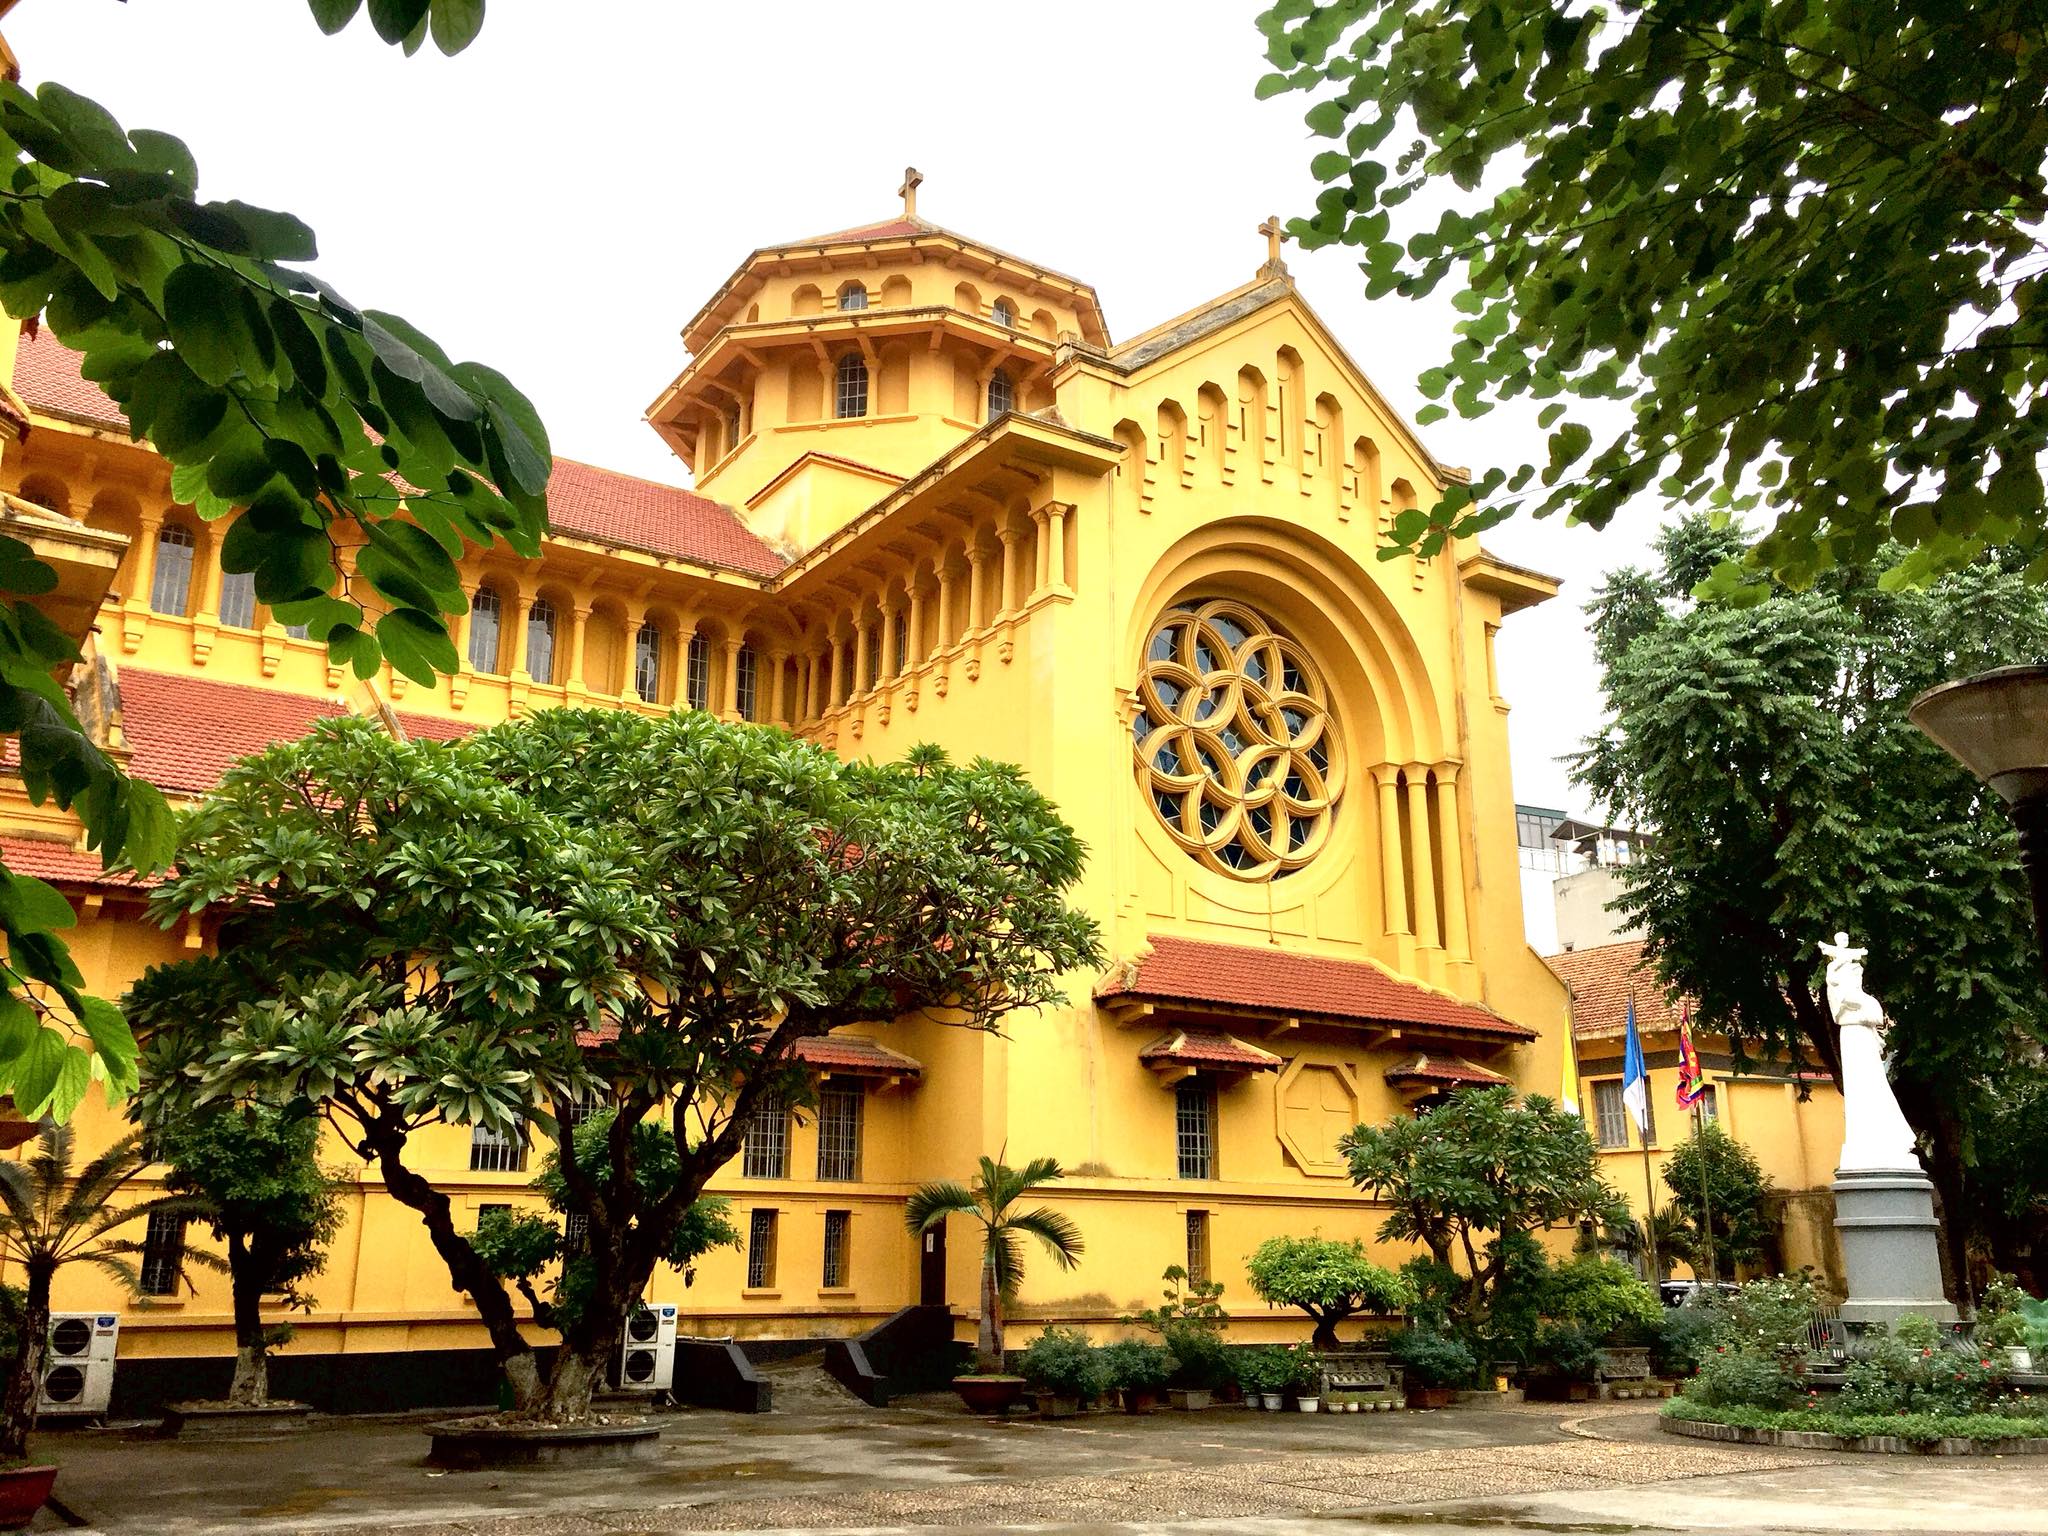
(927, 1465)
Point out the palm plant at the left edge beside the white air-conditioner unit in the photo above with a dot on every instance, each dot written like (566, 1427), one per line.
(50, 1220)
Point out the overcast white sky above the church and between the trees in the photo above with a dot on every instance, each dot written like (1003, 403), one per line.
(566, 194)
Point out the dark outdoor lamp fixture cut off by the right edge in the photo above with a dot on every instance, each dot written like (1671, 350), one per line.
(1998, 728)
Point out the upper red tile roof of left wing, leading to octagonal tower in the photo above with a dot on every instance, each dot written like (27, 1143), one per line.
(583, 501)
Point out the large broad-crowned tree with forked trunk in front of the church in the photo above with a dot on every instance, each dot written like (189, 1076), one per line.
(595, 904)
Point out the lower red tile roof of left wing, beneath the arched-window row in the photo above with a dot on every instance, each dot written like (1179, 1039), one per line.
(185, 732)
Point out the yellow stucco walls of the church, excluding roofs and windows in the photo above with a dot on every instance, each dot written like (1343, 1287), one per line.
(1232, 454)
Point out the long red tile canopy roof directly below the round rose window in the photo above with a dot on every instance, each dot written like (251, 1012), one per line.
(1306, 986)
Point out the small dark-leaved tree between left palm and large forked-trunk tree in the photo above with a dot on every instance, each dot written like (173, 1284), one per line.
(257, 1179)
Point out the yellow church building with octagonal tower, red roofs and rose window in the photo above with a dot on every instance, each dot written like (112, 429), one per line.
(935, 503)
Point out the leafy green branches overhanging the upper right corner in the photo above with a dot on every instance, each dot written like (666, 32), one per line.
(1799, 243)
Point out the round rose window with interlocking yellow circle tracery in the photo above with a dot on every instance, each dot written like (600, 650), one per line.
(1234, 740)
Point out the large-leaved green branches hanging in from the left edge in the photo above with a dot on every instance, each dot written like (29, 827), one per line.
(306, 419)
